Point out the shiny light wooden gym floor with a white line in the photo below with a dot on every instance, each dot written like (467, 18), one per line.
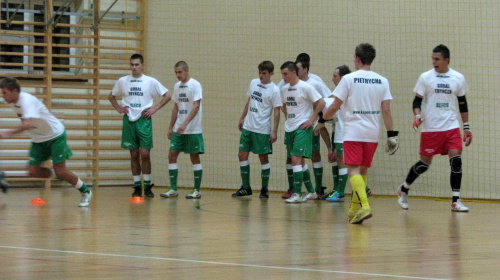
(220, 237)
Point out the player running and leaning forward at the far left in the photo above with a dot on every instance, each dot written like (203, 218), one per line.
(48, 137)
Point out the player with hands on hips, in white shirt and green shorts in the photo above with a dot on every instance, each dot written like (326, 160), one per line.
(137, 91)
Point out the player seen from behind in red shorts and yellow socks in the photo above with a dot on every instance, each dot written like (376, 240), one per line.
(365, 96)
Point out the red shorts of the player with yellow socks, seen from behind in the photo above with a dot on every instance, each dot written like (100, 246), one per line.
(359, 153)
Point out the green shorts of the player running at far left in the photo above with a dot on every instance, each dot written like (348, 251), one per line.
(56, 148)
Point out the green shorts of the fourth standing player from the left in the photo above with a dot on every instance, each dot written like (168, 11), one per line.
(299, 143)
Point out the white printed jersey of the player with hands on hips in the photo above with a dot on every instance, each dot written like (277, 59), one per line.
(137, 93)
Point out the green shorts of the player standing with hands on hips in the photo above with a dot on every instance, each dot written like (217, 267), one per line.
(138, 134)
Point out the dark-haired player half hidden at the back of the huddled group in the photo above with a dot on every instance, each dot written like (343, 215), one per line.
(303, 73)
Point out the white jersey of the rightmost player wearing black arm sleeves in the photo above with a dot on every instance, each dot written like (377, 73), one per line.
(440, 91)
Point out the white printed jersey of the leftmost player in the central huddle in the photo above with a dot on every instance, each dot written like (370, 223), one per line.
(263, 99)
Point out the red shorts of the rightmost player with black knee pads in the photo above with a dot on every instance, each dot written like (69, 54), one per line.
(439, 142)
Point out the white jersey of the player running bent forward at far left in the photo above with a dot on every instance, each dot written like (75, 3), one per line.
(45, 125)
